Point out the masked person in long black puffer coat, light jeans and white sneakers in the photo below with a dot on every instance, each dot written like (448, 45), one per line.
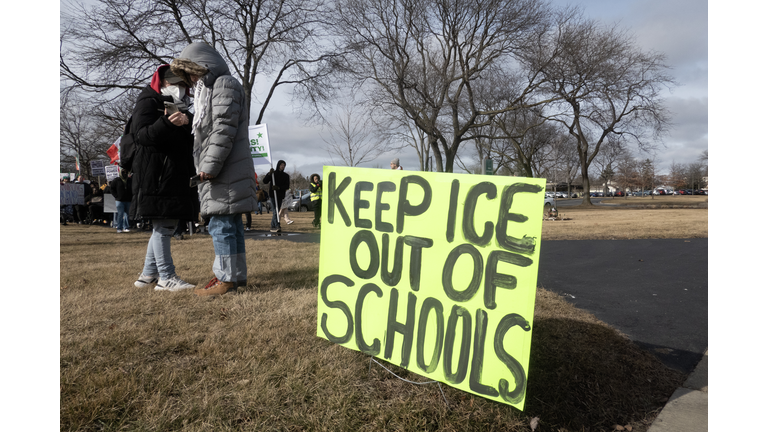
(161, 168)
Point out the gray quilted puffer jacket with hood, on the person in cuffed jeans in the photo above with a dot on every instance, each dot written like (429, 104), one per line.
(221, 147)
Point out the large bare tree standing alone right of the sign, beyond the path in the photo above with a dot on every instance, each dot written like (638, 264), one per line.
(608, 88)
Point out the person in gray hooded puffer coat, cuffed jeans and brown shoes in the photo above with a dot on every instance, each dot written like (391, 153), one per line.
(222, 159)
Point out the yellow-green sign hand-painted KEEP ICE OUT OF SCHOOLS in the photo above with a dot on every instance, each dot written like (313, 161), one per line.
(433, 272)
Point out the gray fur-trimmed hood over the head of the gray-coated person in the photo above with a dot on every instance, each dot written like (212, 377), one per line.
(200, 59)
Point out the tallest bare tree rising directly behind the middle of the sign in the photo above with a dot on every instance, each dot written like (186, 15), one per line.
(431, 58)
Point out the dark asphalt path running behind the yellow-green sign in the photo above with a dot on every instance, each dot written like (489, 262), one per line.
(654, 290)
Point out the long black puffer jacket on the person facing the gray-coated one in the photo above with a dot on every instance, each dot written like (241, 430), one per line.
(163, 163)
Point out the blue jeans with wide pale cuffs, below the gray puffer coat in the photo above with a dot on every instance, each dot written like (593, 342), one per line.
(229, 247)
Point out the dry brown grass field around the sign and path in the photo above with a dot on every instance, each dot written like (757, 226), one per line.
(139, 360)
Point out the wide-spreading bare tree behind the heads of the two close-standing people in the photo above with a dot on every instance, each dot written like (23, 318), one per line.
(116, 45)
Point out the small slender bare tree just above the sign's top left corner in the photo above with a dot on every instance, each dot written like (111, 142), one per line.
(352, 138)
